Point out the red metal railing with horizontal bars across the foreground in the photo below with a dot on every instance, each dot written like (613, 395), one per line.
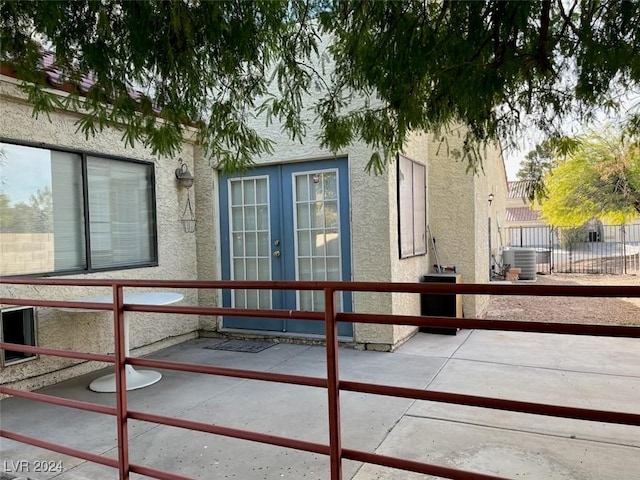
(332, 382)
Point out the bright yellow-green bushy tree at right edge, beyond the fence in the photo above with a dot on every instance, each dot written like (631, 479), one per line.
(599, 178)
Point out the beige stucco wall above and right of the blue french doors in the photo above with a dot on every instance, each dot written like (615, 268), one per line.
(457, 211)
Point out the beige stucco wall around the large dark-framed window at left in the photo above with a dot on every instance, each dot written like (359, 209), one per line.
(176, 252)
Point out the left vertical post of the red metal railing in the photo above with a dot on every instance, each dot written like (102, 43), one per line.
(121, 382)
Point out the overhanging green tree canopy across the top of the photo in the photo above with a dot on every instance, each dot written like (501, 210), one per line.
(423, 64)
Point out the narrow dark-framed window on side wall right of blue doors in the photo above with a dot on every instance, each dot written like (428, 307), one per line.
(412, 207)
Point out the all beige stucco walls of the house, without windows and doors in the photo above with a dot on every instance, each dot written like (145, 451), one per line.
(457, 213)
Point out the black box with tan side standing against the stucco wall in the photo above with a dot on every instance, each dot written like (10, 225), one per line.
(441, 305)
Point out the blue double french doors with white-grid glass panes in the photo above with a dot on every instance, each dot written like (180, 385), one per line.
(285, 222)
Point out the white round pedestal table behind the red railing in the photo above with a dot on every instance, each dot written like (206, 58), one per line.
(135, 378)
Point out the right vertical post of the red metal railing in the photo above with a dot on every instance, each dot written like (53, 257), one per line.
(333, 388)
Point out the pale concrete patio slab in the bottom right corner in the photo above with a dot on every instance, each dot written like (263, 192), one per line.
(502, 452)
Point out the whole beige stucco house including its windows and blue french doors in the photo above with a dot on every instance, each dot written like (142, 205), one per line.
(301, 214)
